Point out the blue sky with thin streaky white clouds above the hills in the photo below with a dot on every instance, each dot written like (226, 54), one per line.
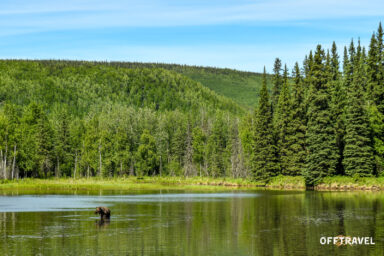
(239, 34)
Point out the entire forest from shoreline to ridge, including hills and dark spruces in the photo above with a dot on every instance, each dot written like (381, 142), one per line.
(81, 119)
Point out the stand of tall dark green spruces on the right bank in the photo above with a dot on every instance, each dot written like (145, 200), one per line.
(323, 121)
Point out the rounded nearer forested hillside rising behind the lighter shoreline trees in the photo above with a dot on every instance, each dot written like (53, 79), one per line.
(84, 85)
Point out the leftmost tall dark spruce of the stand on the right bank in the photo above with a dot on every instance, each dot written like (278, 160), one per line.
(264, 162)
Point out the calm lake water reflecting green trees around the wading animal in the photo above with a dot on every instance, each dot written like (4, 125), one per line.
(190, 223)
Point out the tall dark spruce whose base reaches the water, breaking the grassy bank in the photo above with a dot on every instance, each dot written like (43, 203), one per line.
(320, 137)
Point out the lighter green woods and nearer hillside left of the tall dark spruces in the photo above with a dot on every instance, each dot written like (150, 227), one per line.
(91, 119)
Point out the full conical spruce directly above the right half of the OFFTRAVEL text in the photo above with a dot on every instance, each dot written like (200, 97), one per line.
(358, 153)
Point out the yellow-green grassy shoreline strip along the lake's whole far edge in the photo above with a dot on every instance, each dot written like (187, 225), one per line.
(336, 183)
